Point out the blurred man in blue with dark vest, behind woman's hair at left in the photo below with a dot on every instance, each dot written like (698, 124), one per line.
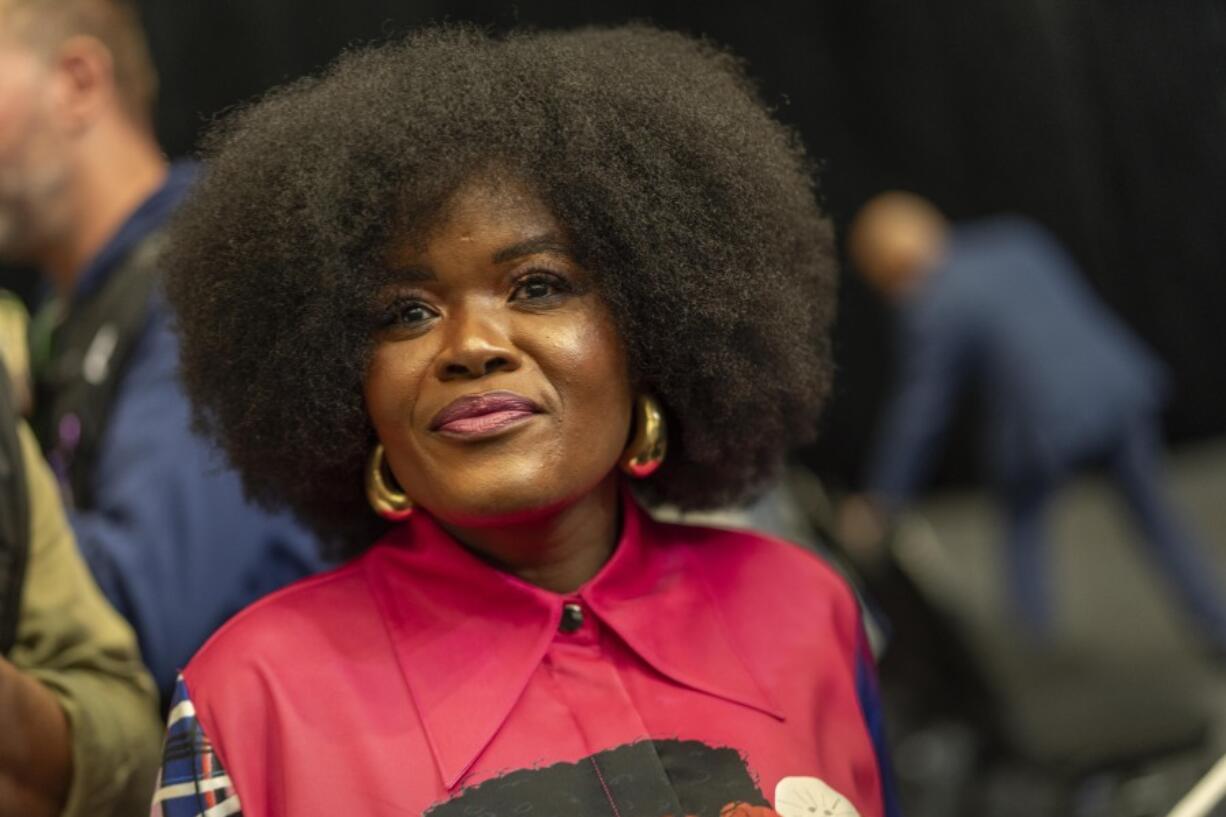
(84, 194)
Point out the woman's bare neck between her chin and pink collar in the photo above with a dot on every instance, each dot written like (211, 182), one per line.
(560, 551)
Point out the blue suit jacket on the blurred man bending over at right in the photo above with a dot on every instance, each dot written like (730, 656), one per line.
(1060, 375)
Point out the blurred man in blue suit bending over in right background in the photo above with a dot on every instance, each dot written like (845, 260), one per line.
(1065, 382)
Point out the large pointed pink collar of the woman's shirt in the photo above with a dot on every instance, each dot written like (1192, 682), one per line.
(469, 637)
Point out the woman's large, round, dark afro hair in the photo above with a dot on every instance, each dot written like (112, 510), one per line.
(695, 209)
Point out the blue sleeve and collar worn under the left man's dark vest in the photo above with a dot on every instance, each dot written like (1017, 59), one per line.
(170, 538)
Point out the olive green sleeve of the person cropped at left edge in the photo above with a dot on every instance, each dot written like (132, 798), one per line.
(72, 641)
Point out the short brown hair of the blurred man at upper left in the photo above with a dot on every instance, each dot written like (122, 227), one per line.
(44, 26)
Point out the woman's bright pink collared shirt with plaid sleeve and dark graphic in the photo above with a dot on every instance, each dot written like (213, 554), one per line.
(701, 673)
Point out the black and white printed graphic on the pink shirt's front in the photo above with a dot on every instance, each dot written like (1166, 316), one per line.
(668, 778)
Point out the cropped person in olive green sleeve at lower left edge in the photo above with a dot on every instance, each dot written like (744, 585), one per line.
(79, 726)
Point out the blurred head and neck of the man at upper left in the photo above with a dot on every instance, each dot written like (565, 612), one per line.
(78, 150)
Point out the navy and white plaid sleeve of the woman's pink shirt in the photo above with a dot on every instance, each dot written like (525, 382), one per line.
(192, 782)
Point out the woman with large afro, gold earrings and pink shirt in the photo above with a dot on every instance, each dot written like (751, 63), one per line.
(469, 306)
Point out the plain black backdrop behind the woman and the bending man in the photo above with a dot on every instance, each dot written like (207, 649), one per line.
(1105, 120)
